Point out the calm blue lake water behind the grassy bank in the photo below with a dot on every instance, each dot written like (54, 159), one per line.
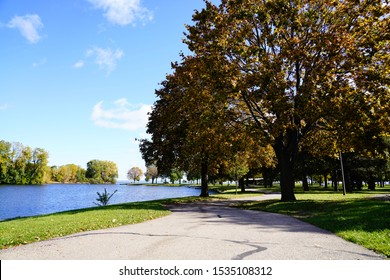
(21, 201)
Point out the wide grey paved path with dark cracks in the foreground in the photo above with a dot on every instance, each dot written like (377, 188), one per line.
(200, 231)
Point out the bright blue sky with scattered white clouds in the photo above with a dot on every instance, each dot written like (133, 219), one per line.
(77, 77)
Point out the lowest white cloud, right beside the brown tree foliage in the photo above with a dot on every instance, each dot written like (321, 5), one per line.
(122, 115)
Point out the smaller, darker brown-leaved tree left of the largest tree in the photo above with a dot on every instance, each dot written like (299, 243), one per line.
(192, 127)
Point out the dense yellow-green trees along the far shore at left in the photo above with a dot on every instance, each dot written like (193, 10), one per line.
(22, 165)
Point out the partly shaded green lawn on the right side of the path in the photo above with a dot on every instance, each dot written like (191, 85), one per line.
(356, 217)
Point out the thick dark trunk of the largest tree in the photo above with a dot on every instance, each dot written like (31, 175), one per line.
(285, 150)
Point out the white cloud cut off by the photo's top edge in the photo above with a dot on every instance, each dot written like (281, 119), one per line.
(123, 12)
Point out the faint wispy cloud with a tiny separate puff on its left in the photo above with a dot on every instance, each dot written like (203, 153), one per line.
(107, 59)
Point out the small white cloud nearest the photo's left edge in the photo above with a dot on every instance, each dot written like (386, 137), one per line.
(28, 26)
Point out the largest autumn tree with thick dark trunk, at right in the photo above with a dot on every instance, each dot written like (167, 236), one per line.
(298, 67)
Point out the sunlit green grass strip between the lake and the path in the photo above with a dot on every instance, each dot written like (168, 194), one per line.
(27, 230)
